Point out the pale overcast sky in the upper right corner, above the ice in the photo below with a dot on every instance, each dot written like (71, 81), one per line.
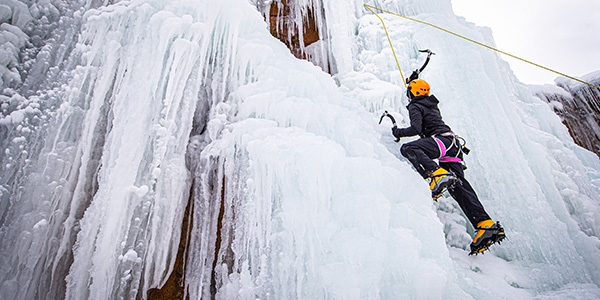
(558, 34)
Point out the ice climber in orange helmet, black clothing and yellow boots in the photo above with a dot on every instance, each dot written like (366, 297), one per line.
(439, 142)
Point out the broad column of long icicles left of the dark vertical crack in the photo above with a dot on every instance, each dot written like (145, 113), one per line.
(94, 216)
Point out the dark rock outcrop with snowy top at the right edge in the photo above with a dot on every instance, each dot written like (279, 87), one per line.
(579, 109)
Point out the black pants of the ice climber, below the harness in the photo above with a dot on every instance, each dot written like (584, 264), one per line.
(421, 154)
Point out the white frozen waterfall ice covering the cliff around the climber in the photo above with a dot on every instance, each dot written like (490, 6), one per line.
(287, 165)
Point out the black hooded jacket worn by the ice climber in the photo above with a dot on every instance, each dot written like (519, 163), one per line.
(425, 118)
